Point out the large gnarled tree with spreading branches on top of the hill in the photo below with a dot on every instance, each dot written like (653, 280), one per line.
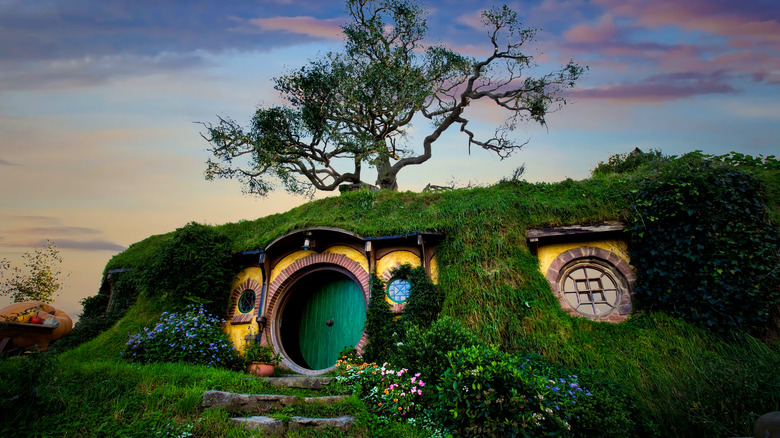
(354, 108)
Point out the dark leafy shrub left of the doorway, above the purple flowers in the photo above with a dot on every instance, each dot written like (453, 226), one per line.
(195, 267)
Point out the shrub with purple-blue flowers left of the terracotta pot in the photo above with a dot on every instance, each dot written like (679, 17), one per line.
(193, 337)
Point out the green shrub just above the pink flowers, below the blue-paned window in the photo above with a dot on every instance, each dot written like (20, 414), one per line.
(425, 349)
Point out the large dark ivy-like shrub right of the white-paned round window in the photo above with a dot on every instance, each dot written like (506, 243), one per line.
(704, 247)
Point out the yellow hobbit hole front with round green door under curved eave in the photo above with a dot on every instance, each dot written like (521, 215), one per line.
(312, 303)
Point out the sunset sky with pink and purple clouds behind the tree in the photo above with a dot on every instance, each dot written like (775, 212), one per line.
(100, 104)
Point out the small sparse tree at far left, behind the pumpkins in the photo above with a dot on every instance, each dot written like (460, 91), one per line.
(40, 281)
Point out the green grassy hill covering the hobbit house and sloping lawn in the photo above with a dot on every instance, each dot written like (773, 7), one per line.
(684, 379)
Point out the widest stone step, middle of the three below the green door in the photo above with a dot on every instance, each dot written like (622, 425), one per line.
(259, 403)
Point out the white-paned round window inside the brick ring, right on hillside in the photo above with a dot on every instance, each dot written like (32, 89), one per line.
(590, 289)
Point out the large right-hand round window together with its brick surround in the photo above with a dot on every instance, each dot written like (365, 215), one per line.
(601, 272)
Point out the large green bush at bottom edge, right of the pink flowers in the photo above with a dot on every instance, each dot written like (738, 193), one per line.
(489, 393)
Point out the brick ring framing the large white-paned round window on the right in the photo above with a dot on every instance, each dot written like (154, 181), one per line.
(590, 254)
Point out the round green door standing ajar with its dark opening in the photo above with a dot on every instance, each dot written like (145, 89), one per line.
(328, 312)
